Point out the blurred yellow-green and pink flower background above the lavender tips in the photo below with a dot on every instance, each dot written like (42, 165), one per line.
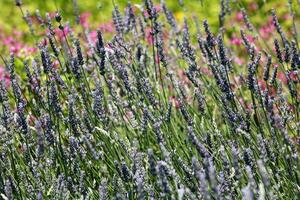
(96, 14)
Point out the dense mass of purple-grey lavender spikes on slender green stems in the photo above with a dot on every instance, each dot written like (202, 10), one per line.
(150, 115)
